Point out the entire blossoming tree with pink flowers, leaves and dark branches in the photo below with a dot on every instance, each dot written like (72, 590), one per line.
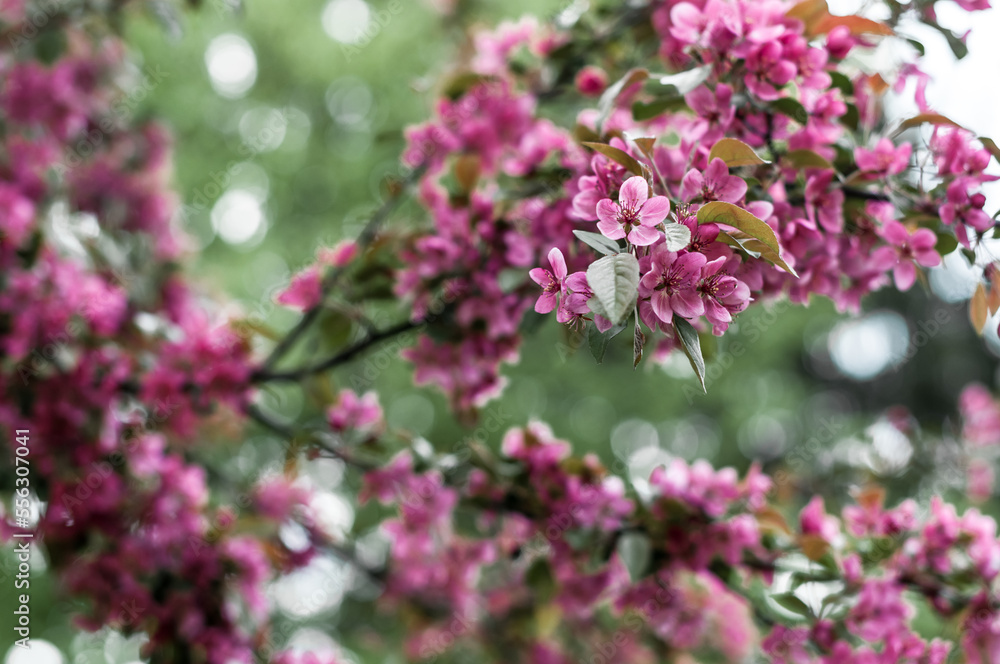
(652, 167)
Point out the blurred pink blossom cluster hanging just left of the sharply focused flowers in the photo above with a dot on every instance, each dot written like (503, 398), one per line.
(492, 130)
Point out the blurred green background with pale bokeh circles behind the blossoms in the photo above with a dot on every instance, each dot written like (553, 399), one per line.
(287, 118)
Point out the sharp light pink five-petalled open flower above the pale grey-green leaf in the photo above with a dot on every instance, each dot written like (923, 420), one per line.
(635, 215)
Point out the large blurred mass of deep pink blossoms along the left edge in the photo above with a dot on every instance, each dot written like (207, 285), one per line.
(117, 369)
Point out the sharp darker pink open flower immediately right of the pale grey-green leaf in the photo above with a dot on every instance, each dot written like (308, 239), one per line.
(670, 284)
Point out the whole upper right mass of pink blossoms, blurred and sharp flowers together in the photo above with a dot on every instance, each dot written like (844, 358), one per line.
(834, 213)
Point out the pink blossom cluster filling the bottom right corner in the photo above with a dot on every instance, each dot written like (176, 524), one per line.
(891, 554)
